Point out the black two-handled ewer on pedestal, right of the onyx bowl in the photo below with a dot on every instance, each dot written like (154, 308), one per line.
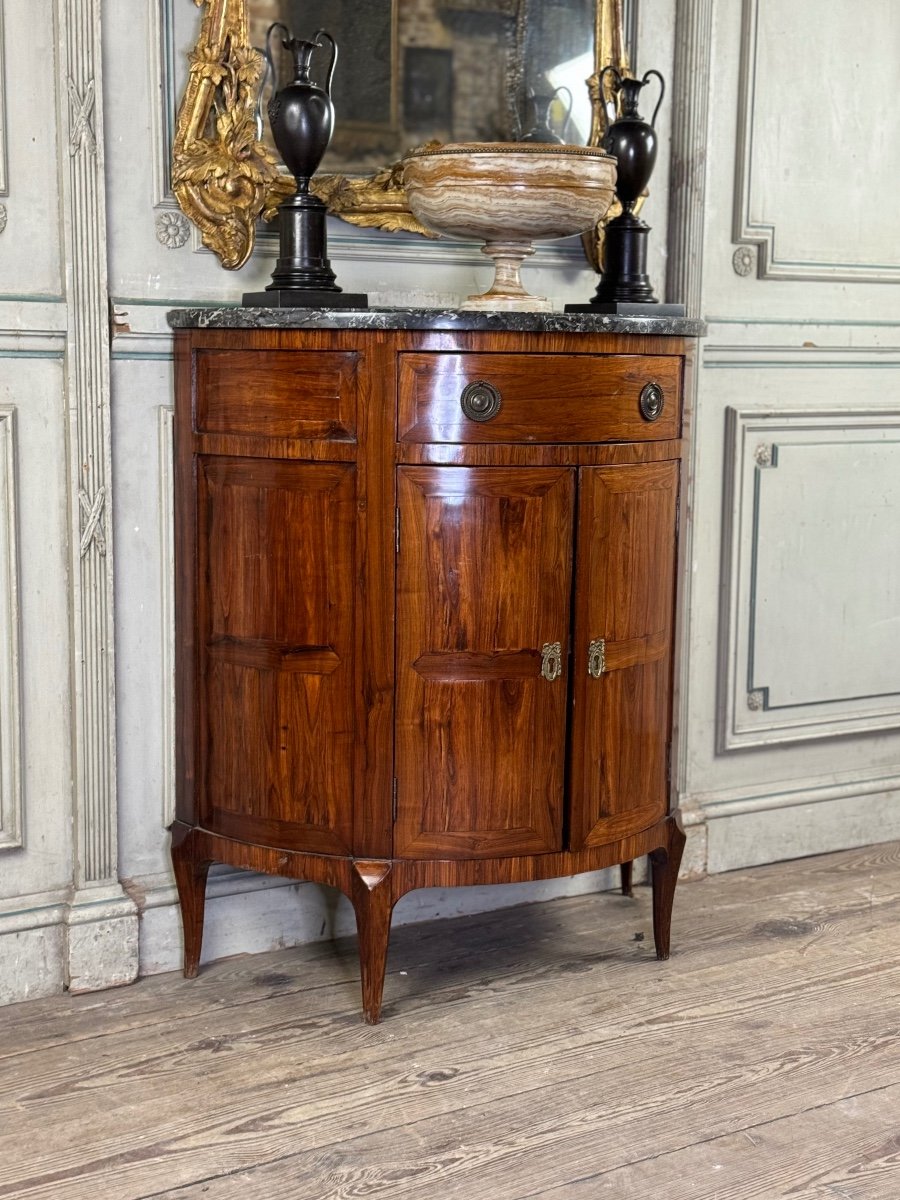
(625, 285)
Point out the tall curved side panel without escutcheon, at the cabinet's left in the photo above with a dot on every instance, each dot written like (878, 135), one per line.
(275, 586)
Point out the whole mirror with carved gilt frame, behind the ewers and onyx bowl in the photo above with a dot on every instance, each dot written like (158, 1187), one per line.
(411, 71)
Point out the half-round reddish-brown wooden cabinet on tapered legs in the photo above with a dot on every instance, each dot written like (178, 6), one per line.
(425, 603)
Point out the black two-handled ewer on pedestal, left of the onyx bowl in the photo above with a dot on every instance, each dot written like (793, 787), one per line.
(302, 117)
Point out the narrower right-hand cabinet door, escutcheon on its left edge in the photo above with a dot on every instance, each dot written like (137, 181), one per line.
(625, 605)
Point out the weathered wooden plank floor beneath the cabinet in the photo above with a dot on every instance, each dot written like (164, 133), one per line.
(539, 1052)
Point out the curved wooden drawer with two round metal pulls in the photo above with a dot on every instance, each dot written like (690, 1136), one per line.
(539, 398)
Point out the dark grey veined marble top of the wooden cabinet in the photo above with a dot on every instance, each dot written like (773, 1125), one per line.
(433, 320)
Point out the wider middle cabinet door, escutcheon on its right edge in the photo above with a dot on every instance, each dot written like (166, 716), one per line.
(484, 584)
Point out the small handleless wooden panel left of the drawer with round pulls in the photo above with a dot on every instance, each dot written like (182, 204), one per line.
(277, 394)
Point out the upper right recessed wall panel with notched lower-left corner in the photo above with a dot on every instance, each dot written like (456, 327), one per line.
(817, 157)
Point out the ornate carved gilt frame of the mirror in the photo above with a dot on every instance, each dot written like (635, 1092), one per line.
(226, 179)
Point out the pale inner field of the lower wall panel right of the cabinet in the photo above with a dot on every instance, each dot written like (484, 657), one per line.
(826, 598)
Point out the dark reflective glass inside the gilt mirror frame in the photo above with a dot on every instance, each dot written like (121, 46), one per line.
(415, 71)
